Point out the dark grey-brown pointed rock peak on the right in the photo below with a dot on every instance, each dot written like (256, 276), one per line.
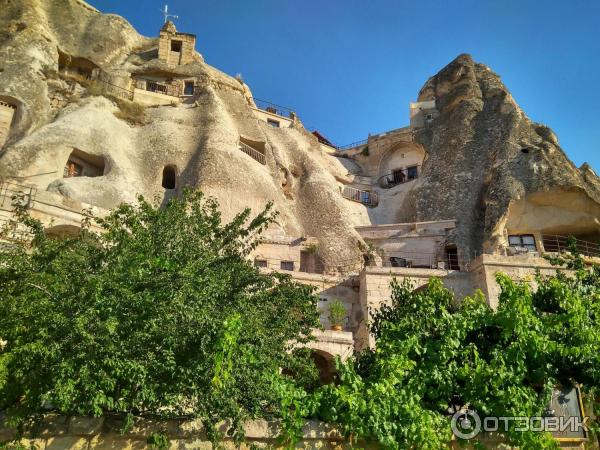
(484, 154)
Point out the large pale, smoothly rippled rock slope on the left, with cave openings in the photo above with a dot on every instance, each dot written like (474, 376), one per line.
(55, 116)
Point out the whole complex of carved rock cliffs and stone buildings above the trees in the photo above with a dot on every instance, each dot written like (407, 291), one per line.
(468, 188)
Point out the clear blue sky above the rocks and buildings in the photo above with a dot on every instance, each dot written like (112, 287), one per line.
(350, 67)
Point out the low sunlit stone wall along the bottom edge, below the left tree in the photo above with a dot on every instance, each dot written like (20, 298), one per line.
(82, 433)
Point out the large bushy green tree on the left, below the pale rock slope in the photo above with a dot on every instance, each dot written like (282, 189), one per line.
(160, 314)
